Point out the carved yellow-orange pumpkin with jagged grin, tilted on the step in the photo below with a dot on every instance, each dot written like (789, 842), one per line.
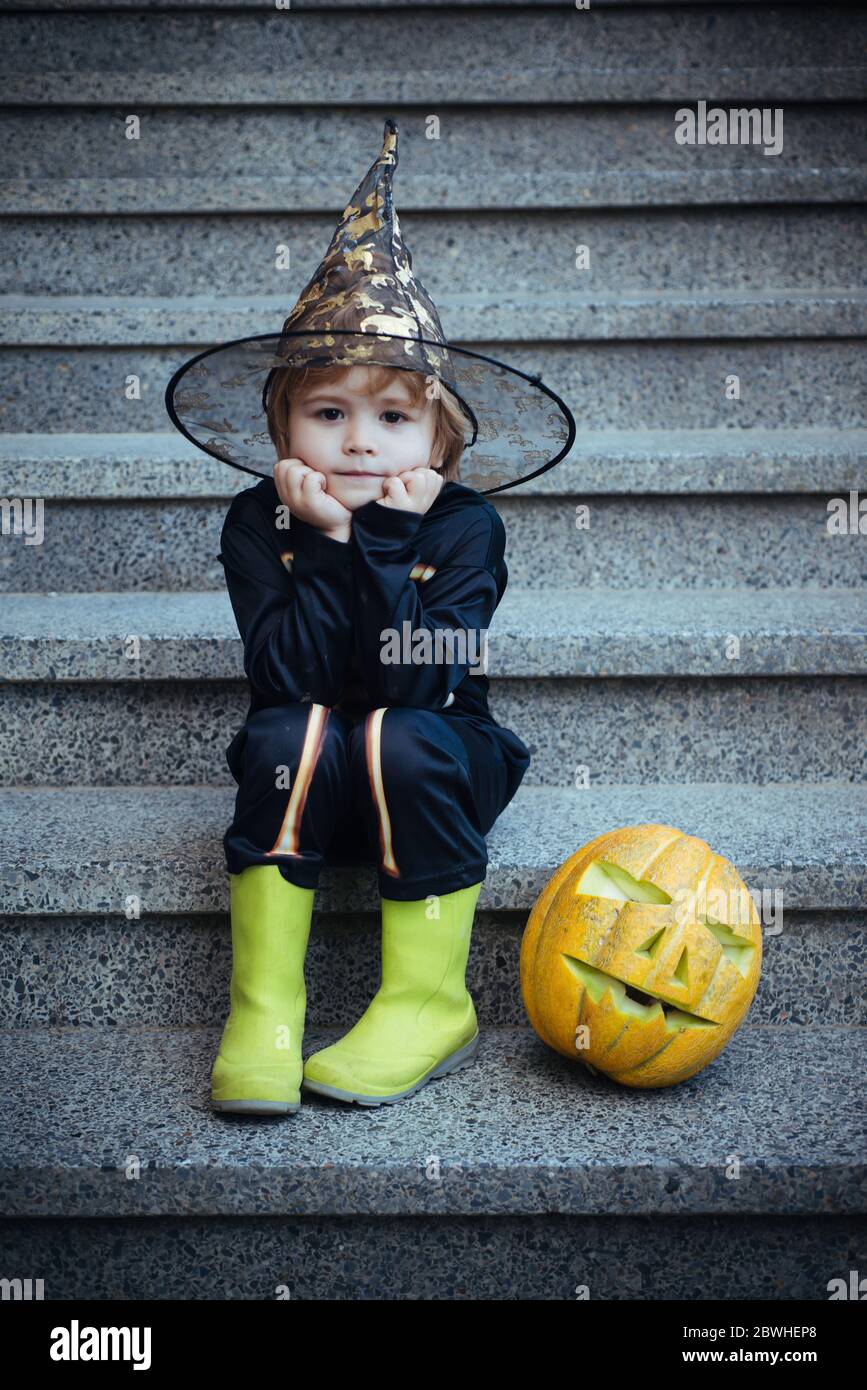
(641, 956)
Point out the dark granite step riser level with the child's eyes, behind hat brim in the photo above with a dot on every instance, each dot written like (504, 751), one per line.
(663, 386)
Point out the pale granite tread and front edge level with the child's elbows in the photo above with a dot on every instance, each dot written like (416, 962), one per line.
(85, 637)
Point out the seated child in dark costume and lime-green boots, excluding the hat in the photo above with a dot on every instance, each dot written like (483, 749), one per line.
(420, 778)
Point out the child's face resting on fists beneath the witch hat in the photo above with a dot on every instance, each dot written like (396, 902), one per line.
(358, 440)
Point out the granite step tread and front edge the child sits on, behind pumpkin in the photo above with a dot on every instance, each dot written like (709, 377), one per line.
(159, 850)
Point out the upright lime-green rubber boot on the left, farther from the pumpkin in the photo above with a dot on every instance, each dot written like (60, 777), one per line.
(259, 1064)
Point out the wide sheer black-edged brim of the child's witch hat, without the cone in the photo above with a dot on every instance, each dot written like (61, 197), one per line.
(518, 427)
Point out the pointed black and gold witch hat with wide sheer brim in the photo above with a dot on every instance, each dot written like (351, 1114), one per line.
(516, 426)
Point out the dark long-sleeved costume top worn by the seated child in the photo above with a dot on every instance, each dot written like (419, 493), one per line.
(312, 611)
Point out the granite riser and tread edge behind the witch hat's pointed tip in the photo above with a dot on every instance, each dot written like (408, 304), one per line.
(609, 156)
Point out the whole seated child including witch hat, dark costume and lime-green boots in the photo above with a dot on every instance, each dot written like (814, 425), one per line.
(363, 576)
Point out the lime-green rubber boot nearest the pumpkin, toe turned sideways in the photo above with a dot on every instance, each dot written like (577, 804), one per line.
(422, 1022)
